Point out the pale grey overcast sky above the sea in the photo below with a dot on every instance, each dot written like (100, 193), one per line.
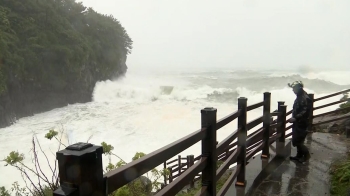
(234, 33)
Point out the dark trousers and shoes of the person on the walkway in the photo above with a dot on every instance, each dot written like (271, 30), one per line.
(298, 137)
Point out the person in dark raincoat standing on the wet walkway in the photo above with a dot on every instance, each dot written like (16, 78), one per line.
(300, 120)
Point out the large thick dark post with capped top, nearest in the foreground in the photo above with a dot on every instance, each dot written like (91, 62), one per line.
(80, 170)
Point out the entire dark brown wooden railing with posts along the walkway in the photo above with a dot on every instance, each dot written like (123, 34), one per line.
(86, 158)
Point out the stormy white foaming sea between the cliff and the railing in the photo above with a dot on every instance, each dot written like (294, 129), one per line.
(142, 111)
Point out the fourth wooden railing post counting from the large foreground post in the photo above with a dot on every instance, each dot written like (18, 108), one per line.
(266, 125)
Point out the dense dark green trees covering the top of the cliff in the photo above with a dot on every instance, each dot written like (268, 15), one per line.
(55, 44)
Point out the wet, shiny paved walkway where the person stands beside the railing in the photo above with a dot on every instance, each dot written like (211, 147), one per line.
(312, 178)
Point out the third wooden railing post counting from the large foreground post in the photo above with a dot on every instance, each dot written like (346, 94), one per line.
(241, 141)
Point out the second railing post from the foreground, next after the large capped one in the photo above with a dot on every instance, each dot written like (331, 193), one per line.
(208, 118)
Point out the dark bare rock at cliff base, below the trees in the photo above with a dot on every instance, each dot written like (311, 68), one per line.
(24, 100)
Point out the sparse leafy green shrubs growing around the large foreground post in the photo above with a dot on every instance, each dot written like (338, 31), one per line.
(48, 182)
